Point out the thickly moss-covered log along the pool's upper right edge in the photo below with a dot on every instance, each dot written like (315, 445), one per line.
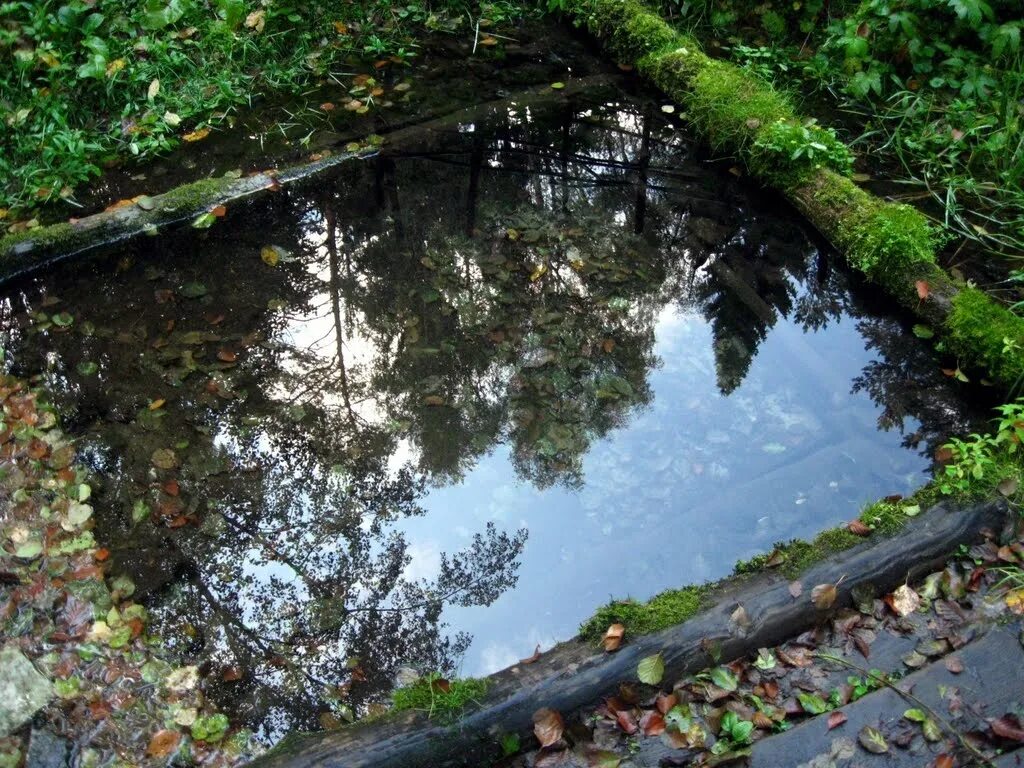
(740, 115)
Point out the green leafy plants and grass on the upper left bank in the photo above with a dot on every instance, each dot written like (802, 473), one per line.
(91, 83)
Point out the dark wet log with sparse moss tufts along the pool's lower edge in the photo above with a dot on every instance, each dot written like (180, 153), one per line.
(578, 673)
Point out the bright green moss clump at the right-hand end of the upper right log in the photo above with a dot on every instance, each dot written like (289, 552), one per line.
(979, 330)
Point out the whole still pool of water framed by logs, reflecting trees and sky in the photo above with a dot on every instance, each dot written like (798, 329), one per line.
(527, 364)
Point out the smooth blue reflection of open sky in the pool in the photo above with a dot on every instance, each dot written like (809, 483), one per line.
(689, 487)
